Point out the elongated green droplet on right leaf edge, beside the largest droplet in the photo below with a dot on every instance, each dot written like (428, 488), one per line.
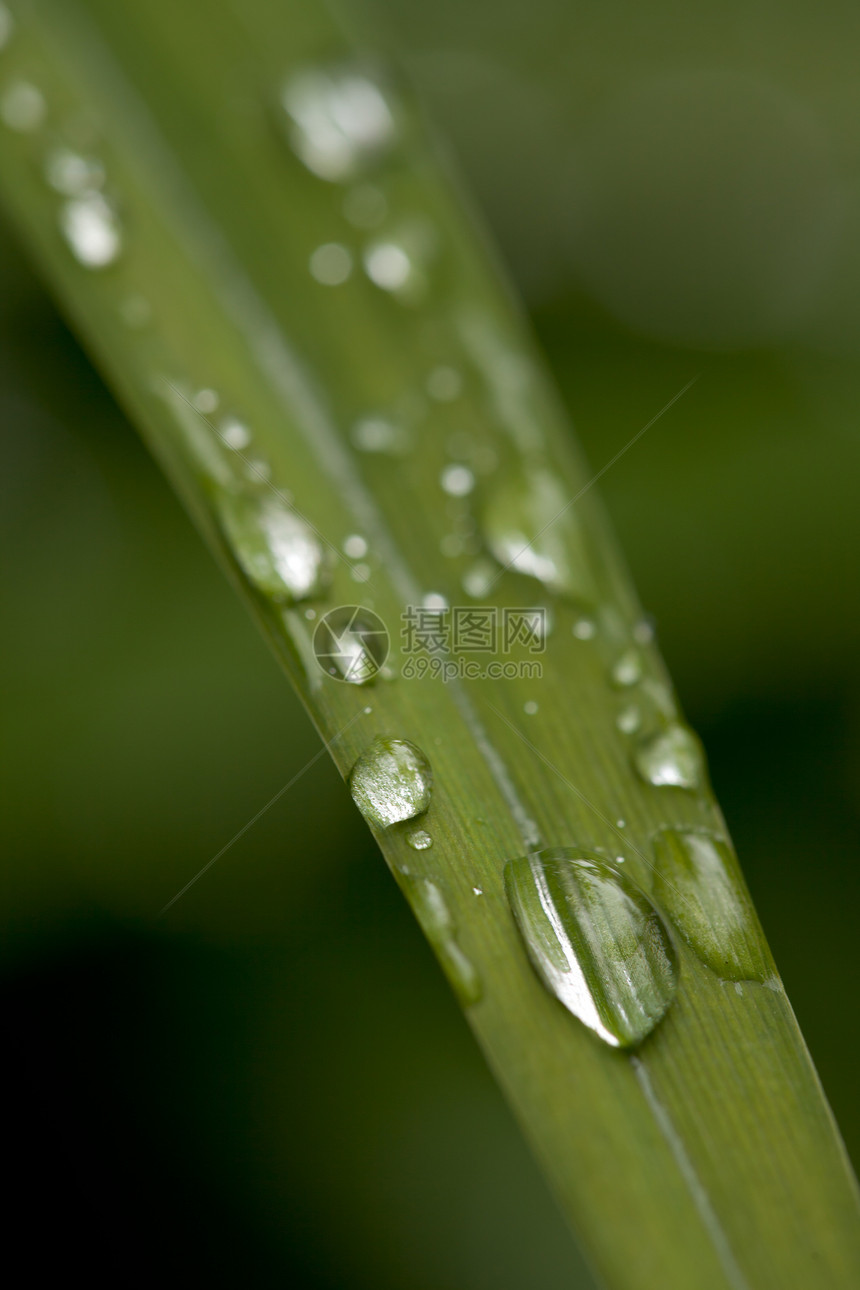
(699, 884)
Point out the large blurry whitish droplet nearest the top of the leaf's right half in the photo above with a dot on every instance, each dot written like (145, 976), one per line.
(341, 122)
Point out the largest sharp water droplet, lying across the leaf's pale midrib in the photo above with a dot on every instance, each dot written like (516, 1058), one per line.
(596, 941)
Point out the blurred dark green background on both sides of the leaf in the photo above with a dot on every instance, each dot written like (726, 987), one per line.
(273, 1084)
